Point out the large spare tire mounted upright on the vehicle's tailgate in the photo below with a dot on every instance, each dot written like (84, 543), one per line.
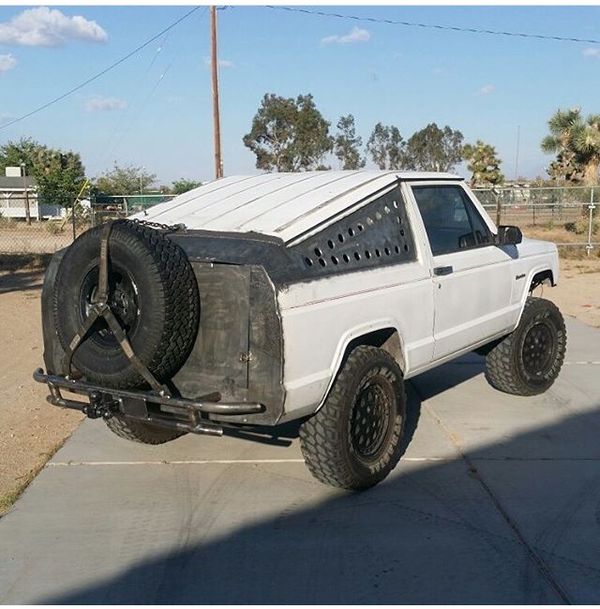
(152, 292)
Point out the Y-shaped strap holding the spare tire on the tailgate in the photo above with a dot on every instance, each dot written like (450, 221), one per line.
(101, 308)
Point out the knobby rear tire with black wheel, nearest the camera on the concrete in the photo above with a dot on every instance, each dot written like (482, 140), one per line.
(354, 440)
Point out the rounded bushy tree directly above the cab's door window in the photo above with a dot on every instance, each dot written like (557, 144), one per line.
(434, 149)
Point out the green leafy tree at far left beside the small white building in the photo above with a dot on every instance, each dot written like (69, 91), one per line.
(60, 175)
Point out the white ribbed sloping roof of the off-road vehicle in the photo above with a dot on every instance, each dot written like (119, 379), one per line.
(280, 204)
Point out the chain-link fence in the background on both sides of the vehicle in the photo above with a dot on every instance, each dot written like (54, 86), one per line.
(571, 214)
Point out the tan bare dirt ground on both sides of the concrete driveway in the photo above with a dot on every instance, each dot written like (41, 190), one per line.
(31, 430)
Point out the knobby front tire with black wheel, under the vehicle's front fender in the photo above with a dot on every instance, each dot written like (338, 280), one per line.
(528, 360)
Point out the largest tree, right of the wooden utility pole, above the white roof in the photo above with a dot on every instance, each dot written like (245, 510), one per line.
(288, 134)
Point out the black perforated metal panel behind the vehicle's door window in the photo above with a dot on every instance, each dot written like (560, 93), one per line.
(377, 234)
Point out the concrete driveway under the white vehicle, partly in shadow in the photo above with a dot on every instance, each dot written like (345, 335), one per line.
(497, 500)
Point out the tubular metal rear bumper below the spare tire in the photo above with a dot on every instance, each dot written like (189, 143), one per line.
(145, 406)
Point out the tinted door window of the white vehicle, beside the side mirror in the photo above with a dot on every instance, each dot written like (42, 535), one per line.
(451, 220)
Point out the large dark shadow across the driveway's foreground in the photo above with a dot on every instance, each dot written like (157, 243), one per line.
(513, 522)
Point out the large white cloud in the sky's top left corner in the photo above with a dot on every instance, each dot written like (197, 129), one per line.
(44, 27)
